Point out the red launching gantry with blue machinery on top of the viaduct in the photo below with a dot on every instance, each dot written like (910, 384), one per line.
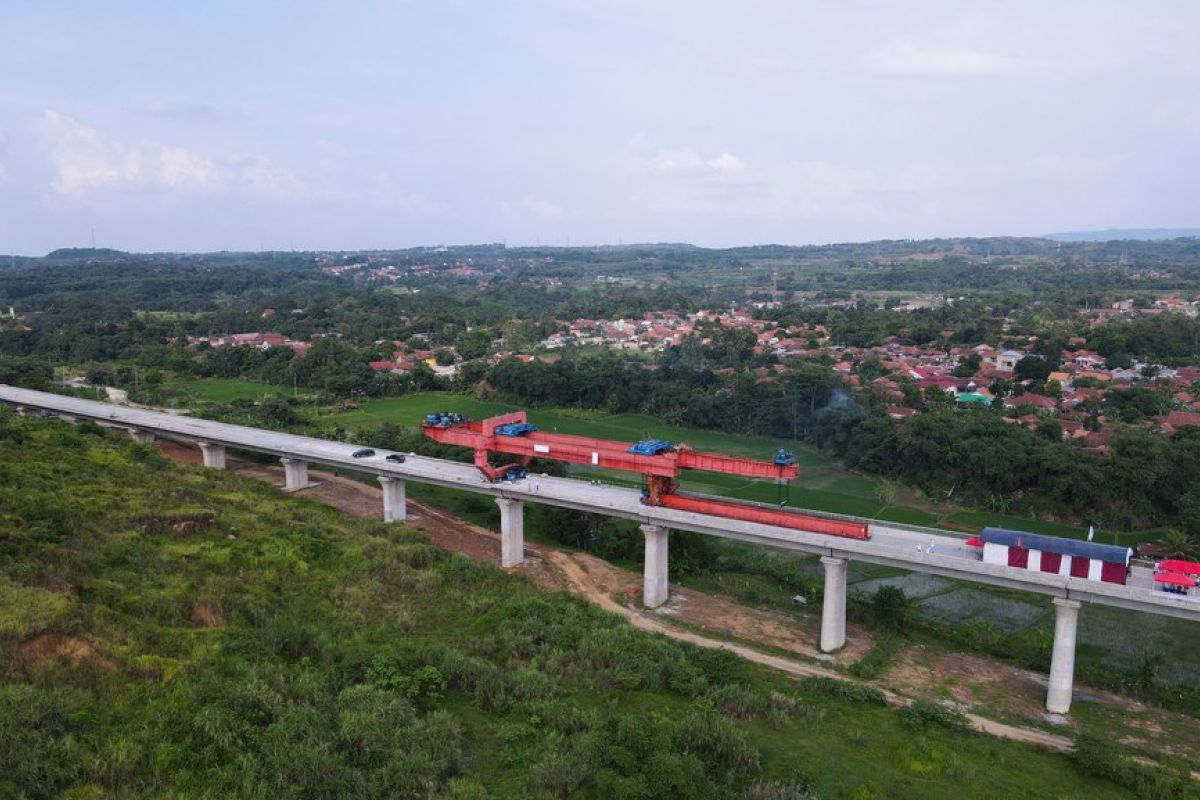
(658, 462)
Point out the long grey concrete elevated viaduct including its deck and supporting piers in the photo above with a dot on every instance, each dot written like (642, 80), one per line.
(939, 552)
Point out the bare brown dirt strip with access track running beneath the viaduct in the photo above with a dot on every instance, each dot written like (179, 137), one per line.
(691, 617)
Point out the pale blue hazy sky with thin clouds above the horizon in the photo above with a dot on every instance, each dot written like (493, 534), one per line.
(235, 125)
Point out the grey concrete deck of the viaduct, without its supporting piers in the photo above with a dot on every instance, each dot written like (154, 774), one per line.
(922, 550)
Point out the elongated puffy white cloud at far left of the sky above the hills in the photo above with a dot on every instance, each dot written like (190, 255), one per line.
(86, 160)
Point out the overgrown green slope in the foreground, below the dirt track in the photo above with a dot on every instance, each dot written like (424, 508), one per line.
(178, 633)
